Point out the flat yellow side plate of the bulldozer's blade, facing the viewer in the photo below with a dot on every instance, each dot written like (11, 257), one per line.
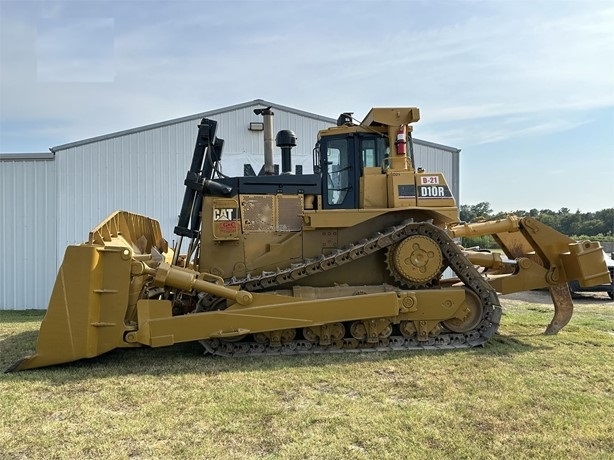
(85, 317)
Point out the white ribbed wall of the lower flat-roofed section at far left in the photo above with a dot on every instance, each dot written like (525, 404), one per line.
(28, 225)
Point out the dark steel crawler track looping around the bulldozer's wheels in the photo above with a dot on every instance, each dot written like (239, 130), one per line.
(453, 258)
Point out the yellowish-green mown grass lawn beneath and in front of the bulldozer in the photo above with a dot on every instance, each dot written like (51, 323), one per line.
(524, 395)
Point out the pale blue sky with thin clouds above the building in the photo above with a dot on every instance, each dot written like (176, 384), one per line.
(524, 88)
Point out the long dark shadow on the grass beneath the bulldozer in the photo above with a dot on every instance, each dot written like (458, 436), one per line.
(187, 358)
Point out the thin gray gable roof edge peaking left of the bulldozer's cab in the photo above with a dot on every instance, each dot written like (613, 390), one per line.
(196, 116)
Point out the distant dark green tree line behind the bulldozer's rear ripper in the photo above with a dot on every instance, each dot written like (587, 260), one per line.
(597, 226)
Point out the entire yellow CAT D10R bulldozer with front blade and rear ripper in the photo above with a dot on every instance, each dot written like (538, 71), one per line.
(363, 254)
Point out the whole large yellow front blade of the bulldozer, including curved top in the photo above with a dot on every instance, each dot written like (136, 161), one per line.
(93, 300)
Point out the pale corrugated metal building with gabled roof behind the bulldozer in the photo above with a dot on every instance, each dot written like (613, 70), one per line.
(50, 201)
